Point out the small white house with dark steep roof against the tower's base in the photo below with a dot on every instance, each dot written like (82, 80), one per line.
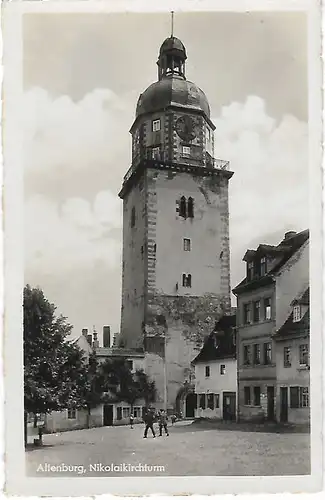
(216, 373)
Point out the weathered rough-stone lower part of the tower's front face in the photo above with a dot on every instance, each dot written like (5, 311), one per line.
(174, 332)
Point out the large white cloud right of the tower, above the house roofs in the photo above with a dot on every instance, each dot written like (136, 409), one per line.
(269, 189)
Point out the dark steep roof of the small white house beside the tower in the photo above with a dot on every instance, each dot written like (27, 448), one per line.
(219, 344)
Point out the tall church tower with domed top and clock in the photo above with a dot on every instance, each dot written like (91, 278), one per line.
(176, 265)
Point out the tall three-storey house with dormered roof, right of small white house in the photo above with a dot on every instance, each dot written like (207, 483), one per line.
(275, 275)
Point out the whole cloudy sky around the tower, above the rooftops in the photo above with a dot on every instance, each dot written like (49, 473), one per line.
(83, 74)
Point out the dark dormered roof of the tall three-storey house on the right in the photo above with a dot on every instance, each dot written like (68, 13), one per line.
(284, 250)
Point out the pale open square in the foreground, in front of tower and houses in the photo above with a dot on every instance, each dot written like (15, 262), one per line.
(189, 450)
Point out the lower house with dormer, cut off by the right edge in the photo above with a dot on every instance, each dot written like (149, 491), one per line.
(293, 365)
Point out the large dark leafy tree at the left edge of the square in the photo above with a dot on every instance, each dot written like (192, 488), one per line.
(54, 369)
